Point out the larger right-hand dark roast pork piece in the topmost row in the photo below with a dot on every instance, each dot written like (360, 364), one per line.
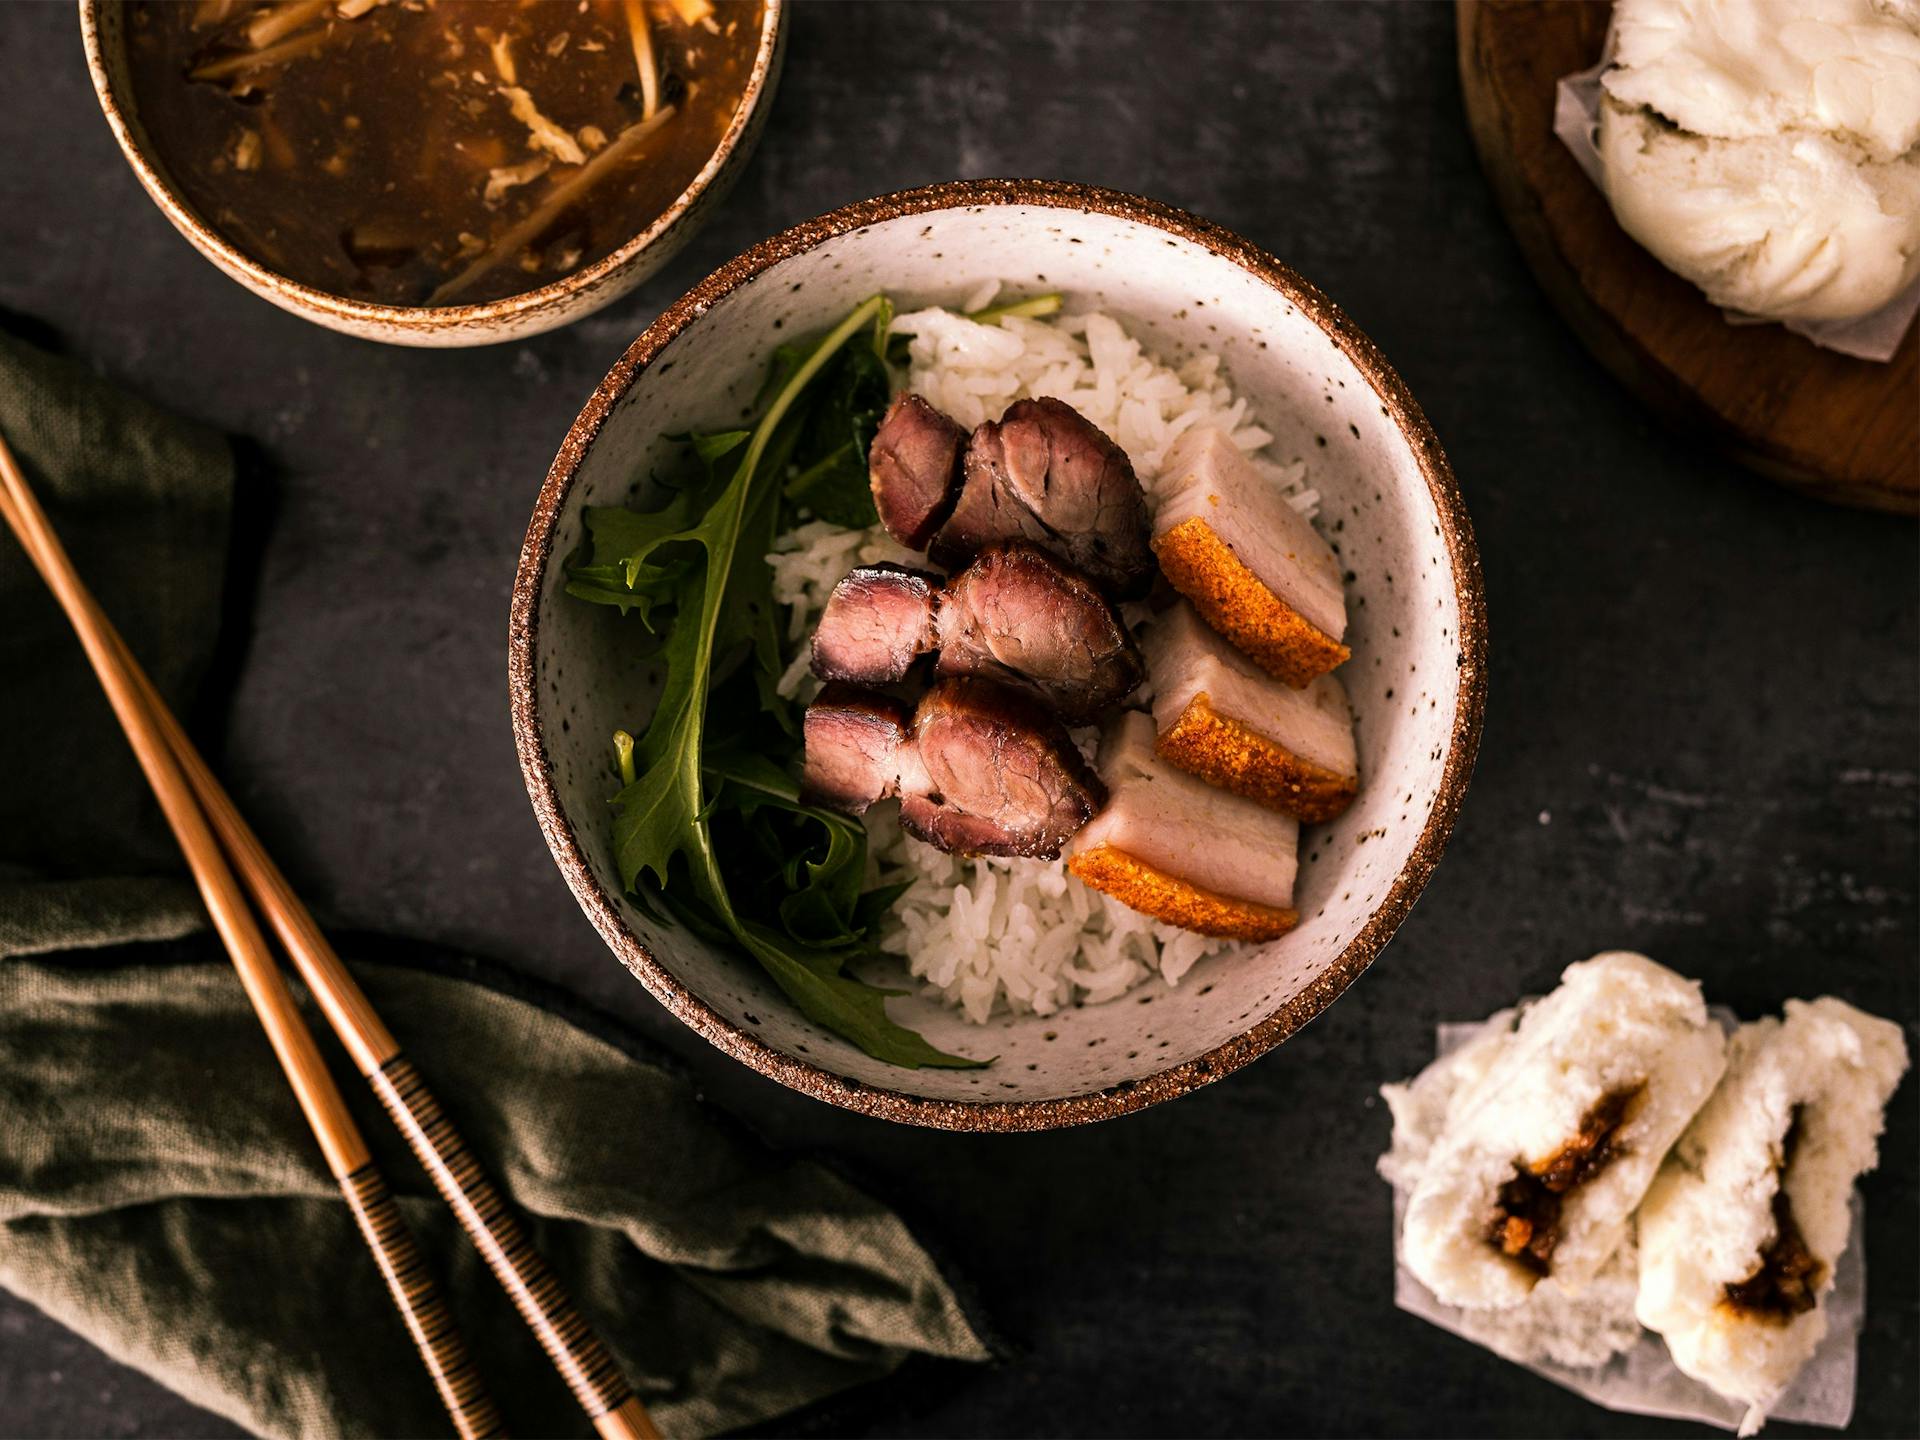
(1045, 475)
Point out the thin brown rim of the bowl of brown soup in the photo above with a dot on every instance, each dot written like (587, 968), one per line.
(420, 318)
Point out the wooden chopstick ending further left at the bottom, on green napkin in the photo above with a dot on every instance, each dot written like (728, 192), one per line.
(345, 1149)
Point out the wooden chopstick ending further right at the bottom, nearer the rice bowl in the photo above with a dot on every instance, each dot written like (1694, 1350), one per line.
(569, 1341)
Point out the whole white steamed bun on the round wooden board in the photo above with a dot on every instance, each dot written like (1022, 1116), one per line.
(1769, 151)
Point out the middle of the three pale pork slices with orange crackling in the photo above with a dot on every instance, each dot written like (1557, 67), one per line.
(1228, 721)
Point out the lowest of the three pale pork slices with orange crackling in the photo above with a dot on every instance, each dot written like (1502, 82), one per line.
(1182, 852)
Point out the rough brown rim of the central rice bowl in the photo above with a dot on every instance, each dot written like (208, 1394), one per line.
(1003, 1116)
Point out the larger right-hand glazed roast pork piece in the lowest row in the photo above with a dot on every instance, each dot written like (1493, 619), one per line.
(997, 775)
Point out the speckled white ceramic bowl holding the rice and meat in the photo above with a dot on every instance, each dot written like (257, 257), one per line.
(1418, 631)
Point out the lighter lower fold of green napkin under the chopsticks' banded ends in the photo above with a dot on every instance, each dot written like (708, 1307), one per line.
(160, 1195)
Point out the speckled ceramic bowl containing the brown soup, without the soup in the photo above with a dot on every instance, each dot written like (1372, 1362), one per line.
(487, 324)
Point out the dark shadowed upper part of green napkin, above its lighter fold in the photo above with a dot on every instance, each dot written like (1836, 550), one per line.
(141, 502)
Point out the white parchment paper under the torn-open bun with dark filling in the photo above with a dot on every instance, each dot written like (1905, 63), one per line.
(1644, 1381)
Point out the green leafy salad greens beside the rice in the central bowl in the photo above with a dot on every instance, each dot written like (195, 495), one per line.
(702, 765)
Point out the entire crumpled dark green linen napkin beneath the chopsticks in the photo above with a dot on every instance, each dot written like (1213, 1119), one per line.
(158, 1188)
